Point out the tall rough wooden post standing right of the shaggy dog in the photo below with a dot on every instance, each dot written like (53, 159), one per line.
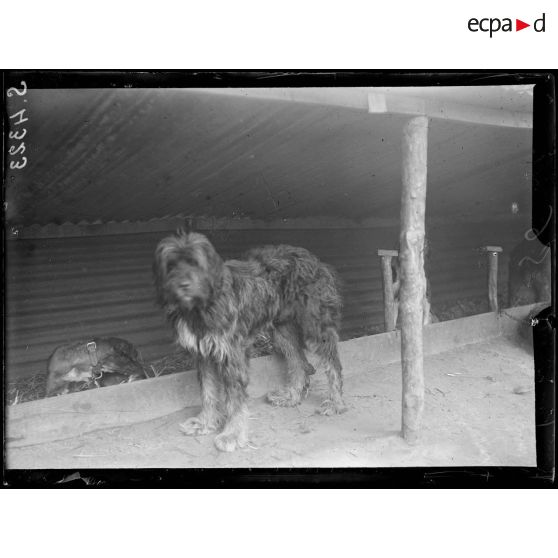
(413, 281)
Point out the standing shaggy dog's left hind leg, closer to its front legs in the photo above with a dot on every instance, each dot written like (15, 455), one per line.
(286, 341)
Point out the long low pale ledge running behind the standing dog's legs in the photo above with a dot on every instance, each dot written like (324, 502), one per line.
(71, 415)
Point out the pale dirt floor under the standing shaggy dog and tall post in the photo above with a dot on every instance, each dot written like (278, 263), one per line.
(479, 410)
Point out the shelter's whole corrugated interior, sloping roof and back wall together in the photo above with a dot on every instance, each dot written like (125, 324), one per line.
(112, 171)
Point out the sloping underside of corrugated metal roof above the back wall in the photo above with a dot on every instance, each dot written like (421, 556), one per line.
(138, 154)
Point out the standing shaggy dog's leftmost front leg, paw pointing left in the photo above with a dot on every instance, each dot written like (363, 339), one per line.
(211, 417)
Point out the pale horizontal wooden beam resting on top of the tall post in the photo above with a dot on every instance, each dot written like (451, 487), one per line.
(381, 103)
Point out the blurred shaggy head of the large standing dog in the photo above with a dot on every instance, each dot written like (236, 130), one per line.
(188, 271)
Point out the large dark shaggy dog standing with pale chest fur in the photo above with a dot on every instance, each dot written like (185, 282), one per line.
(217, 308)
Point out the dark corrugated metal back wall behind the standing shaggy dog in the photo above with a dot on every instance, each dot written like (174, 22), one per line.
(64, 289)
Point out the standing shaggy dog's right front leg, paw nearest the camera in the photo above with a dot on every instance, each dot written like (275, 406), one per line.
(234, 372)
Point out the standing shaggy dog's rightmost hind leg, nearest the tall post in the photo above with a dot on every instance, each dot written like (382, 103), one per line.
(329, 360)
